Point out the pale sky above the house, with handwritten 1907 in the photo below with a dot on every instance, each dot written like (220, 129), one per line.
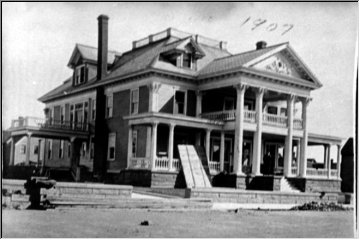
(38, 40)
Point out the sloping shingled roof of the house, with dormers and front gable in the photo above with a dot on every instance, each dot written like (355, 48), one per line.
(213, 60)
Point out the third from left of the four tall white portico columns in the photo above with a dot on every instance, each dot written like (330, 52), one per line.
(289, 137)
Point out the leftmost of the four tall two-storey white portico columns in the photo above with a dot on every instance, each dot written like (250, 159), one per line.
(239, 125)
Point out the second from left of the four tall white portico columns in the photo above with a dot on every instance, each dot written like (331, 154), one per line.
(258, 134)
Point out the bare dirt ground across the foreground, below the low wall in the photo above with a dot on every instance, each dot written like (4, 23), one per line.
(117, 223)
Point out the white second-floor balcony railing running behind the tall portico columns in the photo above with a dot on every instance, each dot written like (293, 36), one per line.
(250, 116)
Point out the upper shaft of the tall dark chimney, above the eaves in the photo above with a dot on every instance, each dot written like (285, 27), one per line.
(102, 47)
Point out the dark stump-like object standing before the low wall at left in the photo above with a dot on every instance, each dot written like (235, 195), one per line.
(33, 186)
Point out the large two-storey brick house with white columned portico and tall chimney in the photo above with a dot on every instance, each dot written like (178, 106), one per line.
(121, 116)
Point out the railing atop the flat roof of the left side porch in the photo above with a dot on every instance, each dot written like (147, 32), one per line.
(49, 124)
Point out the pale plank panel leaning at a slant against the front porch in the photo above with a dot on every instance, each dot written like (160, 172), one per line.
(194, 172)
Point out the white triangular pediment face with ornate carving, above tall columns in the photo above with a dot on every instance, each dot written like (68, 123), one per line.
(279, 63)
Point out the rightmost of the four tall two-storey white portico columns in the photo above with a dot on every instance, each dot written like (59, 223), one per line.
(304, 139)
